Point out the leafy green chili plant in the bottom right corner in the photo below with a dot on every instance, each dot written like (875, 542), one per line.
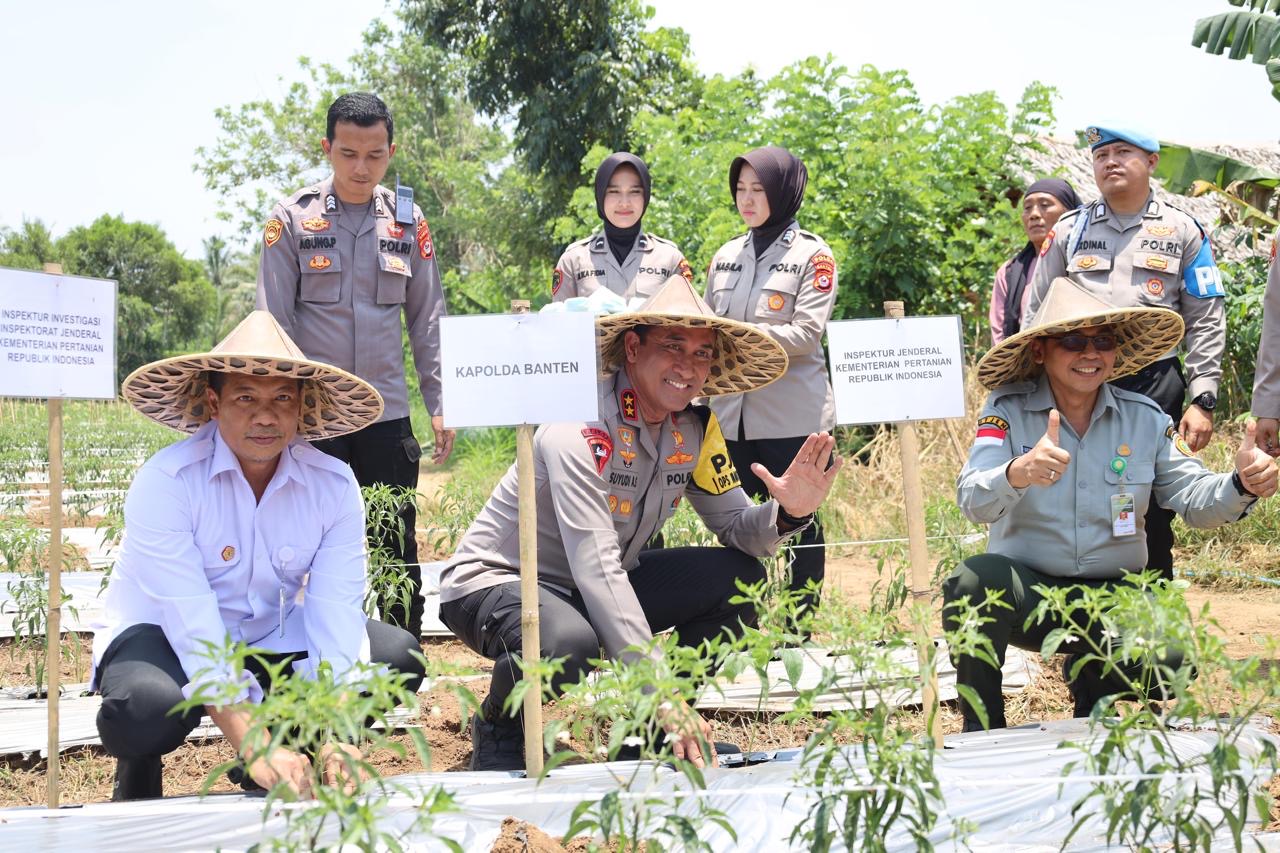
(1141, 635)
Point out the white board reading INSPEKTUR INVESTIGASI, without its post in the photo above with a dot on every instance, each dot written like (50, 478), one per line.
(57, 336)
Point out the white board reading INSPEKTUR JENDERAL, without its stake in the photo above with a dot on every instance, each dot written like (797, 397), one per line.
(897, 370)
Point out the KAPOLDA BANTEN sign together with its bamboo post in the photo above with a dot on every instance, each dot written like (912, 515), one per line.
(522, 370)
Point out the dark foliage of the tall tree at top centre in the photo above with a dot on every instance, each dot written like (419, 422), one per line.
(572, 74)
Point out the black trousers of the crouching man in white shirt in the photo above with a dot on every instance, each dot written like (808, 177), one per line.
(141, 679)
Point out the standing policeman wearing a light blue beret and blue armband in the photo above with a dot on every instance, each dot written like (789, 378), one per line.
(1135, 252)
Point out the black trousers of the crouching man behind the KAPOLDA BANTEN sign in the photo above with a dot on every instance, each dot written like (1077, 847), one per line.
(688, 590)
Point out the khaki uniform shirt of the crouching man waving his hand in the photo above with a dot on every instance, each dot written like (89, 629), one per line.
(604, 491)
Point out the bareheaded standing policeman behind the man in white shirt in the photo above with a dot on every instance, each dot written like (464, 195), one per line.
(341, 262)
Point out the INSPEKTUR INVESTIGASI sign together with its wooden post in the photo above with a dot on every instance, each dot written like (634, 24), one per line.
(57, 341)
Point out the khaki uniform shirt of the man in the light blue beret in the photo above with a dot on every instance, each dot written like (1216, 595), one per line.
(1163, 259)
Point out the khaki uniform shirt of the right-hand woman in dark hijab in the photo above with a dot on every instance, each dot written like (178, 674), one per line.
(790, 291)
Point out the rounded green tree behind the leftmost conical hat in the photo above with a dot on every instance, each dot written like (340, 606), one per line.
(163, 300)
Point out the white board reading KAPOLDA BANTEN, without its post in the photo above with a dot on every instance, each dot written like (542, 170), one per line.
(509, 370)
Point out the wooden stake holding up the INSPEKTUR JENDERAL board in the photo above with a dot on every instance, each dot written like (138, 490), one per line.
(920, 555)
